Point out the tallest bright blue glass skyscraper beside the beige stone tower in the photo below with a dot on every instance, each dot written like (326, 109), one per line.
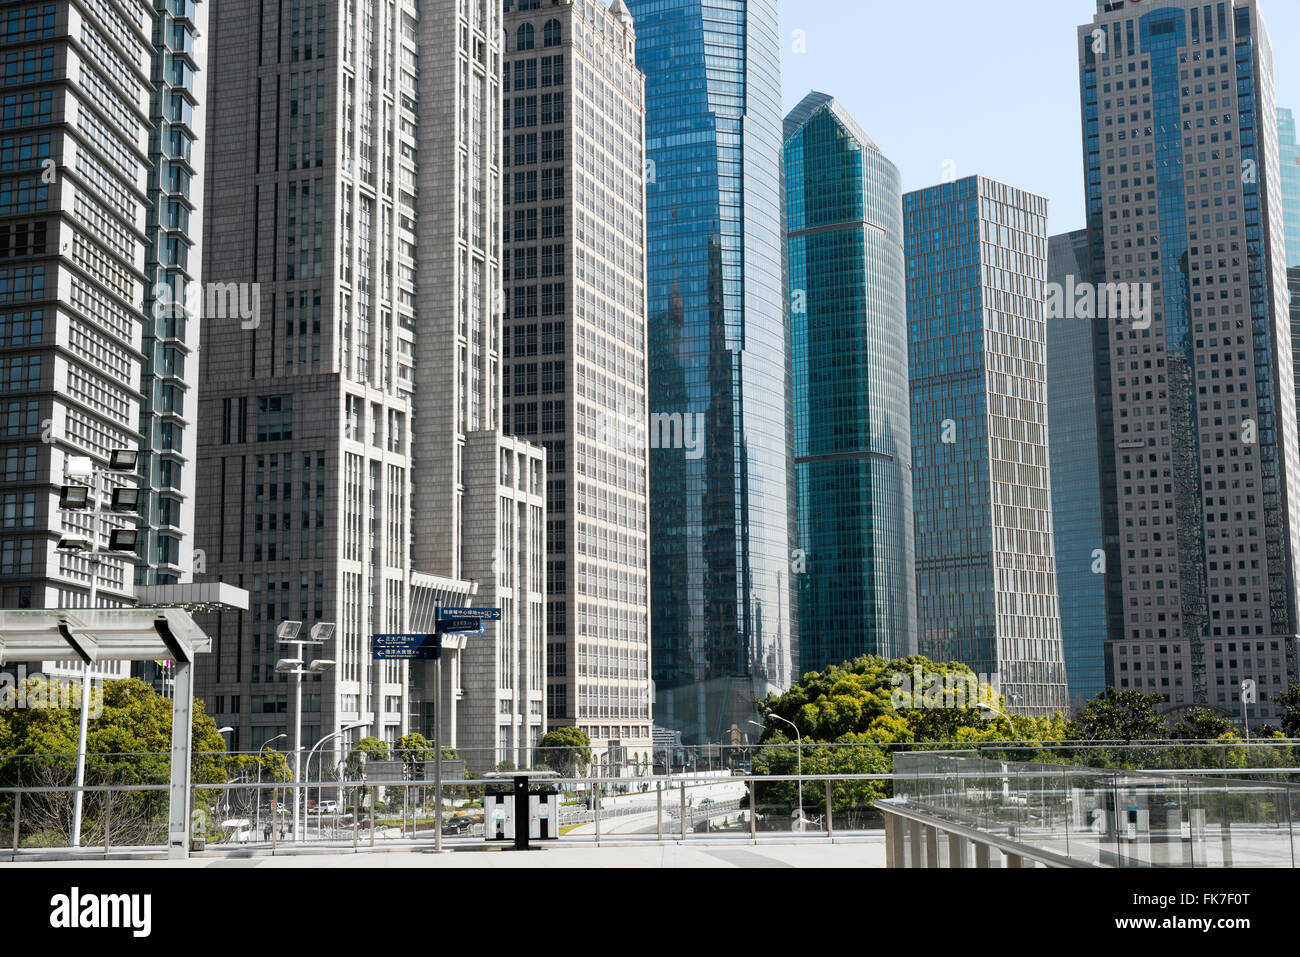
(723, 626)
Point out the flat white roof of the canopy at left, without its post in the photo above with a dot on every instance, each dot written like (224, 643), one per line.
(93, 635)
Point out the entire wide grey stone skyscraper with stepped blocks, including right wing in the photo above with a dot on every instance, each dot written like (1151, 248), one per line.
(353, 467)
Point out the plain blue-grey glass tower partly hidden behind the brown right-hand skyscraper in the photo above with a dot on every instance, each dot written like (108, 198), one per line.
(1076, 478)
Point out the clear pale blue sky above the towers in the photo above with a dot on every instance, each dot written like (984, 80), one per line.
(989, 86)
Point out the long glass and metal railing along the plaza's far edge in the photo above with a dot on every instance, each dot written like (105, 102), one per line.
(344, 806)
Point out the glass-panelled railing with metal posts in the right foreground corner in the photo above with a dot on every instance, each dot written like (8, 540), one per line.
(1072, 816)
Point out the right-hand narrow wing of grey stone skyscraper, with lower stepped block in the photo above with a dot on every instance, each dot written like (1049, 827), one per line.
(479, 495)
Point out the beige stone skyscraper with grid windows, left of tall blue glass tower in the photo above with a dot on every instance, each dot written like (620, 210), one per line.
(575, 352)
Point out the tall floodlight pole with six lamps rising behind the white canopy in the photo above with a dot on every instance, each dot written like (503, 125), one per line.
(122, 540)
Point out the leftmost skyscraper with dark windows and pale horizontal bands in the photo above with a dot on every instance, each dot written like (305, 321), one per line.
(76, 192)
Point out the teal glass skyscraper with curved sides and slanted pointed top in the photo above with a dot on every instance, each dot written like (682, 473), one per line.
(852, 421)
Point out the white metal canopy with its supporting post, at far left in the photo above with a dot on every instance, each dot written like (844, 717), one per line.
(140, 634)
